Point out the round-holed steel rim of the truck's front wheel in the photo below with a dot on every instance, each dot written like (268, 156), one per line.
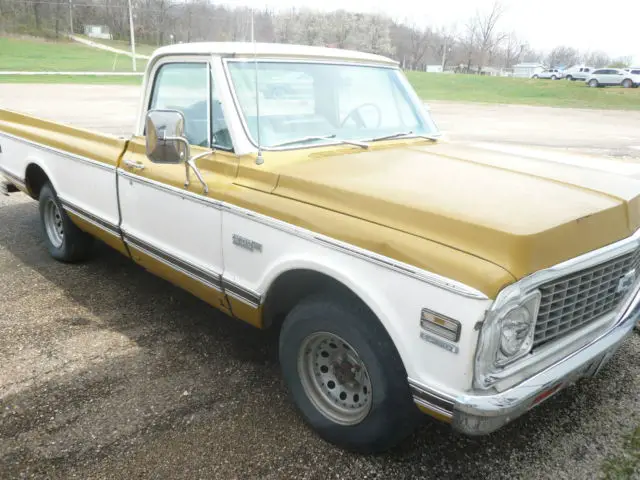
(334, 378)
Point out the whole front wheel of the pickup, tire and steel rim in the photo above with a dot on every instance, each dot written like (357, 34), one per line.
(345, 375)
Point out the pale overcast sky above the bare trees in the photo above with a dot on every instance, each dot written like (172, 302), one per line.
(612, 26)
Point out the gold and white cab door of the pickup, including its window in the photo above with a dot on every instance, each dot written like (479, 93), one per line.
(171, 229)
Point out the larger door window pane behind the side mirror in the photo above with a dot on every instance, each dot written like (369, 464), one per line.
(185, 87)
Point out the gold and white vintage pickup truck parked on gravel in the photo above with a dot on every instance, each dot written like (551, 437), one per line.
(305, 189)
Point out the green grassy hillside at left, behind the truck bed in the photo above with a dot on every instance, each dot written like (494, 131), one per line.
(38, 55)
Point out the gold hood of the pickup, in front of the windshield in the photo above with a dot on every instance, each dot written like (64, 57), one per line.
(522, 209)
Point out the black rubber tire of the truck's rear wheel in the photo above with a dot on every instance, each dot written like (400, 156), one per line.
(75, 245)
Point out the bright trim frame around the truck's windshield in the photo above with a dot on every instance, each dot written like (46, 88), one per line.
(337, 142)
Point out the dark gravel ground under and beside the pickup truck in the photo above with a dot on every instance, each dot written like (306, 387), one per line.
(109, 372)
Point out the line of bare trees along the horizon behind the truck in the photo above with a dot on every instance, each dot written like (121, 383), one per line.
(475, 44)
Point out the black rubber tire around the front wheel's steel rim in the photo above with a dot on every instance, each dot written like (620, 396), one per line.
(393, 415)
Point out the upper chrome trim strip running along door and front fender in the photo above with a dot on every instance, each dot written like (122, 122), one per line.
(380, 260)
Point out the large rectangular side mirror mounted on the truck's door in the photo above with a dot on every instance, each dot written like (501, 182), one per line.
(165, 137)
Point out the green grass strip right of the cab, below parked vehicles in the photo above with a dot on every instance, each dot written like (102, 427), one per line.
(559, 93)
